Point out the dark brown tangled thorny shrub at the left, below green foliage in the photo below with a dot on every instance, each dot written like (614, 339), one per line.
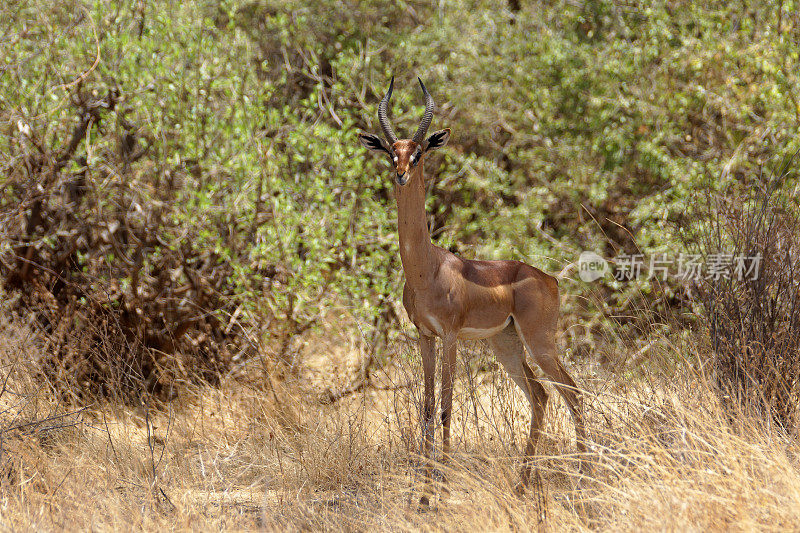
(126, 300)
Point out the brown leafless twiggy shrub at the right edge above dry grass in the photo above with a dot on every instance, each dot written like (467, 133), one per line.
(753, 318)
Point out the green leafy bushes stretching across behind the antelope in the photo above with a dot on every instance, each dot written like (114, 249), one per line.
(576, 127)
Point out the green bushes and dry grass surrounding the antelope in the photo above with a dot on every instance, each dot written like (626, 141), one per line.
(201, 279)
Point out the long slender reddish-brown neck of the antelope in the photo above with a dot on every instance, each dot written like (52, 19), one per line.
(416, 250)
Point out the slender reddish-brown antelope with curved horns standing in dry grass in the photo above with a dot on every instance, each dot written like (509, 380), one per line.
(510, 305)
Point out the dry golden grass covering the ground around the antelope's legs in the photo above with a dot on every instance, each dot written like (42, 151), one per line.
(244, 455)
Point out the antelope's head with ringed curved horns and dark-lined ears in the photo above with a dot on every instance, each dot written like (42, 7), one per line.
(406, 154)
